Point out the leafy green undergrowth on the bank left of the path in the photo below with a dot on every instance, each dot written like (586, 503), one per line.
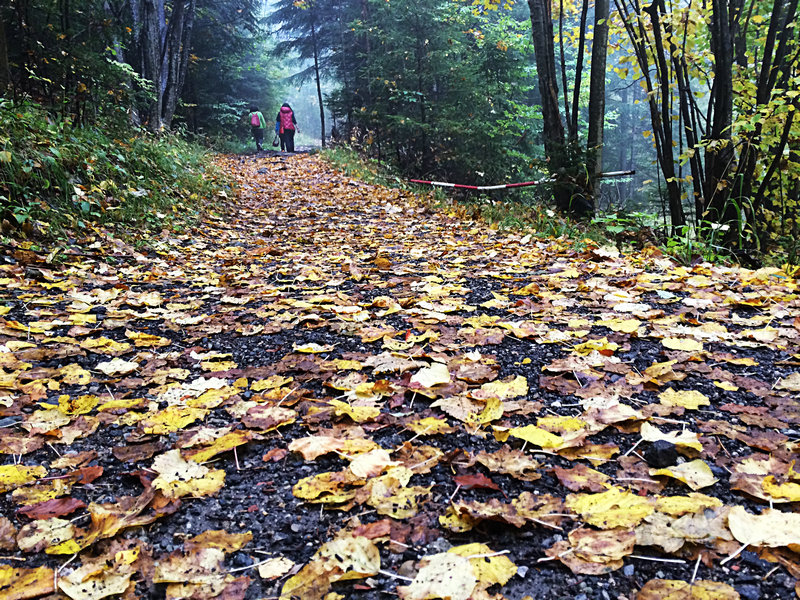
(57, 179)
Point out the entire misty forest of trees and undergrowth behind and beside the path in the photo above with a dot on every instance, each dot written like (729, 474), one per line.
(105, 102)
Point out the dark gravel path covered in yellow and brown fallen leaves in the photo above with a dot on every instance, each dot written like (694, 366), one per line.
(334, 391)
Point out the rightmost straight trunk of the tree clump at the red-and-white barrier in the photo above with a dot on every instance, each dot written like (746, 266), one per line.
(597, 90)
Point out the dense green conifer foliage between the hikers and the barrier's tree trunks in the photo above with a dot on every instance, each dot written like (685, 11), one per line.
(437, 89)
